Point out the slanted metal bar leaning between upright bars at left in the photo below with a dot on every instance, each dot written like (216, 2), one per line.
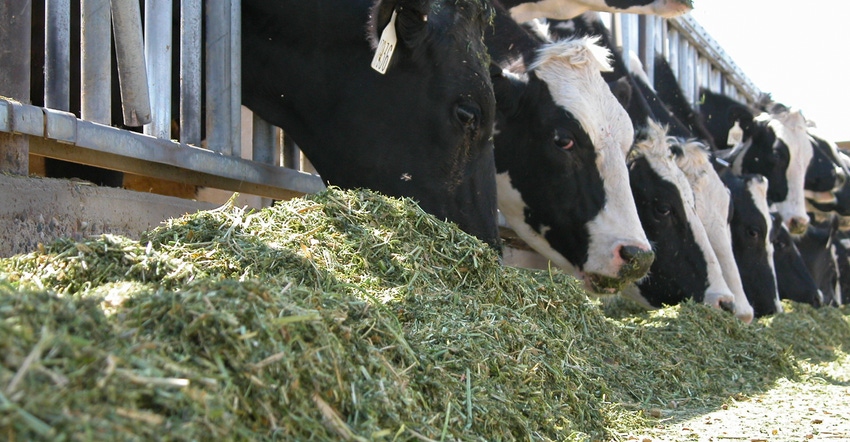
(130, 55)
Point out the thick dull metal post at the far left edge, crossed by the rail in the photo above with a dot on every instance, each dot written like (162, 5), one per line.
(15, 45)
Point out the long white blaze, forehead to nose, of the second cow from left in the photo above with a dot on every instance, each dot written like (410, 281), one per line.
(571, 69)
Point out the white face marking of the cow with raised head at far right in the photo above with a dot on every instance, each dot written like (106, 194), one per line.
(790, 127)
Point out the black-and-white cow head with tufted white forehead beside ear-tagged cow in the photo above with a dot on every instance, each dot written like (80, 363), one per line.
(560, 146)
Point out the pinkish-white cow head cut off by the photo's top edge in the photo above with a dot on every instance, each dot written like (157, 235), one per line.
(525, 10)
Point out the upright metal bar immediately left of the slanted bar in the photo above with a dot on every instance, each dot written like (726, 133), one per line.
(96, 59)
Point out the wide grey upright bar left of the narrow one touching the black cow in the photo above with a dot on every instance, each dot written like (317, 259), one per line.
(219, 113)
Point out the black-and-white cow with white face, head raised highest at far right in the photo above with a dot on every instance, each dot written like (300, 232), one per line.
(773, 144)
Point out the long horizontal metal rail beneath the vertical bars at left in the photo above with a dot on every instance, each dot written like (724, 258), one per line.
(61, 135)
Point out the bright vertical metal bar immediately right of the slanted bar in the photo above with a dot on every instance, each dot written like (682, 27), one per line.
(158, 62)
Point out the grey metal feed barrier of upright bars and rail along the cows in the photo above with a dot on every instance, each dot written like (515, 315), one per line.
(143, 57)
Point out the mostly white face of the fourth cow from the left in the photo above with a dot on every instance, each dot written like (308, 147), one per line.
(711, 198)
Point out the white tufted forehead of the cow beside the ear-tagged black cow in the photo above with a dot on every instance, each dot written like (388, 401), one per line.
(572, 69)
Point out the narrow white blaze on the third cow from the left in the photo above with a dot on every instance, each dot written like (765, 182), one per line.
(656, 150)
